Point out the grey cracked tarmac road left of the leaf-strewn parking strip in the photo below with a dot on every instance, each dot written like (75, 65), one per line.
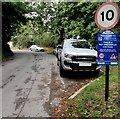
(25, 84)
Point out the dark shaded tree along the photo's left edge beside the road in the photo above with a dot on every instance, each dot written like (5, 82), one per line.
(12, 15)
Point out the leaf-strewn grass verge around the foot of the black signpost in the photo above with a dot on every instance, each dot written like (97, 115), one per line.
(90, 102)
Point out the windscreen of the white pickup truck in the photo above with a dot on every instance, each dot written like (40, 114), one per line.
(77, 44)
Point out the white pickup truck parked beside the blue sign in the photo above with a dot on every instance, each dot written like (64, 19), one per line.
(77, 55)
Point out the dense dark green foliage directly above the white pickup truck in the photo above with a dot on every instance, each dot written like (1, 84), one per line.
(76, 18)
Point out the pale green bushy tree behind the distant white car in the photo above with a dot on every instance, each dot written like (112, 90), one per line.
(32, 33)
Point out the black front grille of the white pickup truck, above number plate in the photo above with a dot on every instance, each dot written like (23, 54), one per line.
(83, 58)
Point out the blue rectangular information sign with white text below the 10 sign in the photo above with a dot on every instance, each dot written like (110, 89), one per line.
(108, 49)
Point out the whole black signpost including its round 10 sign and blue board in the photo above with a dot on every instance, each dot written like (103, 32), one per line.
(106, 17)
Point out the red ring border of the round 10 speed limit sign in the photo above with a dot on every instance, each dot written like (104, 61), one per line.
(114, 23)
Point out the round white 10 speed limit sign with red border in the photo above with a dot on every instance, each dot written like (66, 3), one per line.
(107, 15)
